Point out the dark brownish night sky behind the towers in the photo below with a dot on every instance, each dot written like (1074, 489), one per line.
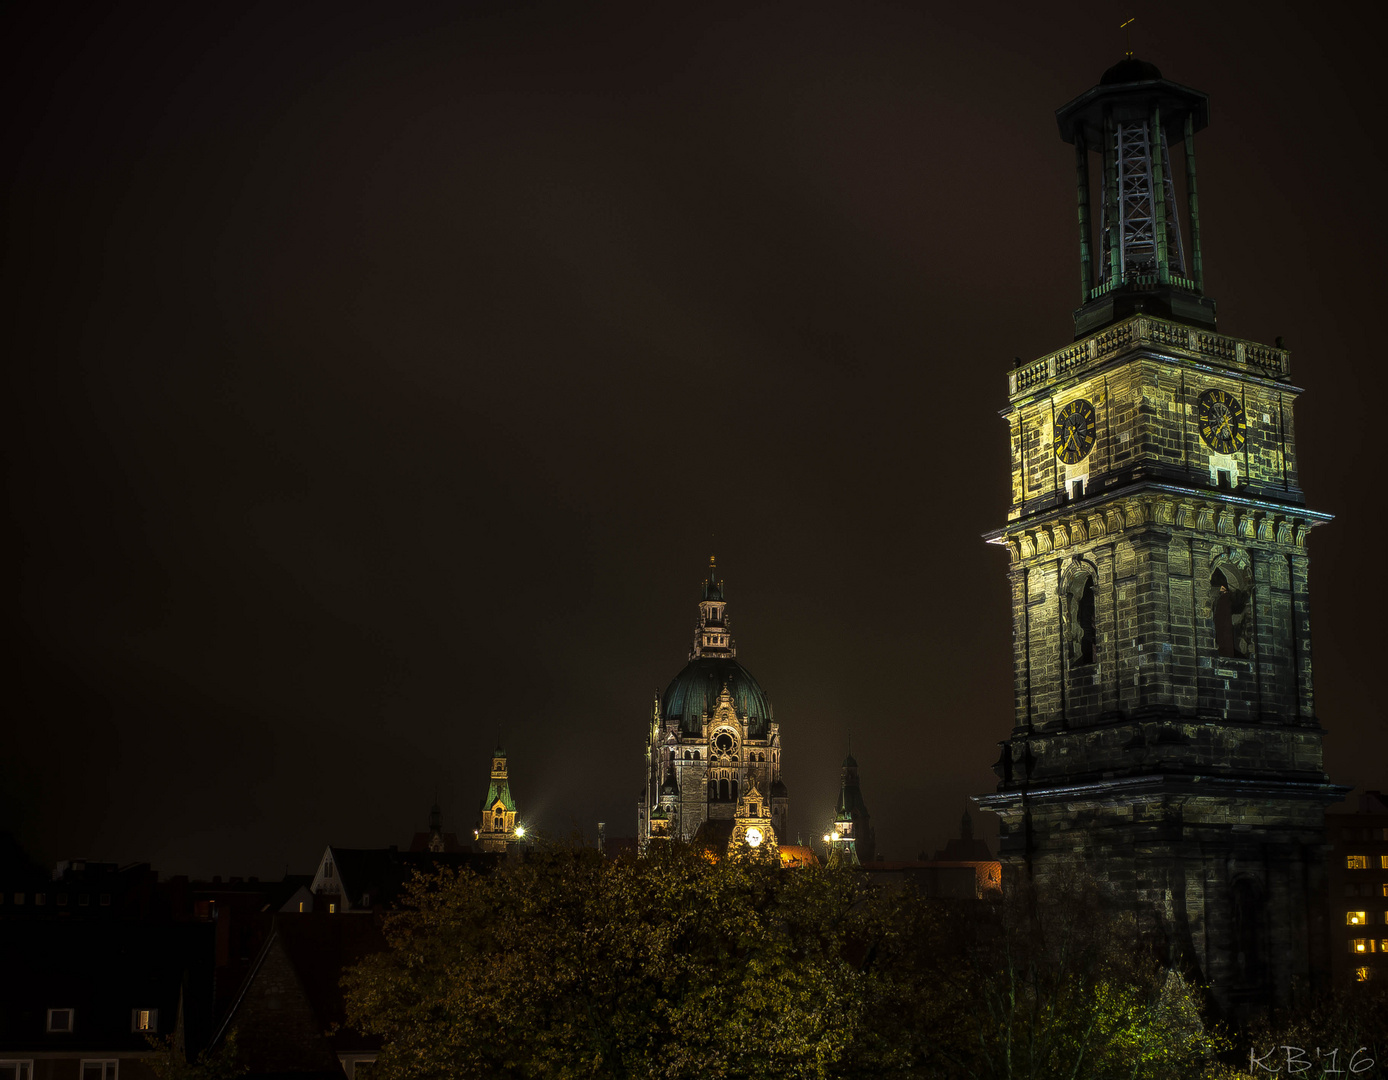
(381, 378)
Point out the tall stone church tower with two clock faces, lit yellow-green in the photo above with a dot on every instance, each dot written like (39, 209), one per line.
(1165, 729)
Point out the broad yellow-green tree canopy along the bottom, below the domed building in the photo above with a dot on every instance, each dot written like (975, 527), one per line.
(677, 965)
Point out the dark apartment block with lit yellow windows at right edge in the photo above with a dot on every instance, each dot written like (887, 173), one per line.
(1360, 891)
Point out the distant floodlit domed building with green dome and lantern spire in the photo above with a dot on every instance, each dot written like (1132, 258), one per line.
(713, 741)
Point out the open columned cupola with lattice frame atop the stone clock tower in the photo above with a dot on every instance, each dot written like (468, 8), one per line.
(1137, 259)
